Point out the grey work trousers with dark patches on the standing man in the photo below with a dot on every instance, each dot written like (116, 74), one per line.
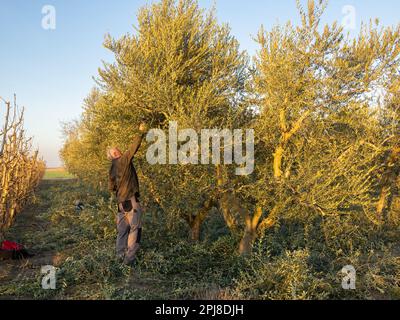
(129, 226)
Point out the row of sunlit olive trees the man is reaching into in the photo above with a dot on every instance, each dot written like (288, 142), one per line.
(324, 107)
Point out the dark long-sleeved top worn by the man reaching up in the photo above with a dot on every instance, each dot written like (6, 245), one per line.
(123, 179)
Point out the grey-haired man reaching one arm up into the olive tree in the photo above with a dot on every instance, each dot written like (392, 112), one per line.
(123, 180)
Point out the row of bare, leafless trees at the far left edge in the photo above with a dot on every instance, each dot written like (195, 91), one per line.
(20, 170)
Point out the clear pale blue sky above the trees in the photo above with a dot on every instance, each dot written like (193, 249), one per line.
(51, 71)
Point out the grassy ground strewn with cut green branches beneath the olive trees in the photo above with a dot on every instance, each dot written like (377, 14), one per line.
(170, 266)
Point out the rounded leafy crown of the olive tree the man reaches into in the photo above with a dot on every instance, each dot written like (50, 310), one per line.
(179, 65)
